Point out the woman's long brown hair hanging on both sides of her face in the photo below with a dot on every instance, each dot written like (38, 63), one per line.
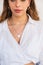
(30, 10)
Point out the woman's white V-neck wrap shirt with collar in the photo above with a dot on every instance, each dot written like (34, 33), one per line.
(11, 53)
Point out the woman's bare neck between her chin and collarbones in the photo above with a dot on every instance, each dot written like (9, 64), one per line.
(18, 20)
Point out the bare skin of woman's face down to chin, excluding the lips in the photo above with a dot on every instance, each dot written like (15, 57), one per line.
(19, 4)
